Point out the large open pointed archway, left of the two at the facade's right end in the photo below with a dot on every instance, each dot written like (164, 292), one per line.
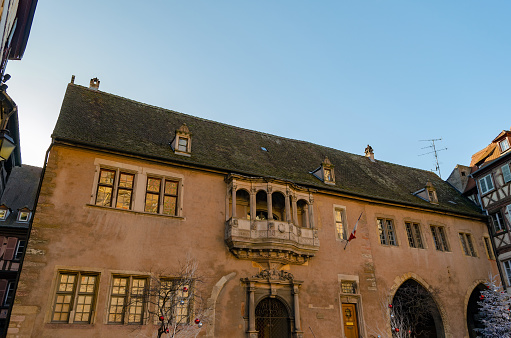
(414, 310)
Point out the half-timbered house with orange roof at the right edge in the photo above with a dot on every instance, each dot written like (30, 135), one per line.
(491, 176)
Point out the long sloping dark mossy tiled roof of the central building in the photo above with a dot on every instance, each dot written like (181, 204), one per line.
(98, 119)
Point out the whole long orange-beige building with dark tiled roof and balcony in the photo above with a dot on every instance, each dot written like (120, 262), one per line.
(130, 190)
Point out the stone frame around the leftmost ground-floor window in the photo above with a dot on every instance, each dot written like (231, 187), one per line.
(53, 295)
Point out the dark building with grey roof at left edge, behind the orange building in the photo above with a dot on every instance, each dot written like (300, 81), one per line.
(16, 208)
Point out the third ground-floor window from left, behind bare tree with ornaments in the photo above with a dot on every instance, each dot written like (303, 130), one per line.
(175, 299)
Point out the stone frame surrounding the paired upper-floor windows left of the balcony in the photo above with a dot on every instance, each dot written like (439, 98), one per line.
(139, 185)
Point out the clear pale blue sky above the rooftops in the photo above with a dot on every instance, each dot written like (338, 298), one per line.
(342, 74)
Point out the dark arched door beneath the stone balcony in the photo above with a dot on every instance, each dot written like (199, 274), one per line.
(272, 319)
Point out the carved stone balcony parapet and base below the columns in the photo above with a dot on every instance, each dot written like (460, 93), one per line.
(271, 241)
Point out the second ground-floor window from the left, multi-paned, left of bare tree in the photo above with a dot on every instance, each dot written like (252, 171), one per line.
(127, 300)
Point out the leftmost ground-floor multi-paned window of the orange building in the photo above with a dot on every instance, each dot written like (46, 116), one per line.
(74, 290)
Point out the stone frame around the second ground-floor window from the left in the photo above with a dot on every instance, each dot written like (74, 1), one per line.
(127, 299)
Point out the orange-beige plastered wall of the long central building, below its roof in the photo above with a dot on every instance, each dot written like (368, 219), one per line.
(282, 241)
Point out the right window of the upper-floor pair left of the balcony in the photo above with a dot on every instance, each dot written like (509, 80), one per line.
(161, 196)
